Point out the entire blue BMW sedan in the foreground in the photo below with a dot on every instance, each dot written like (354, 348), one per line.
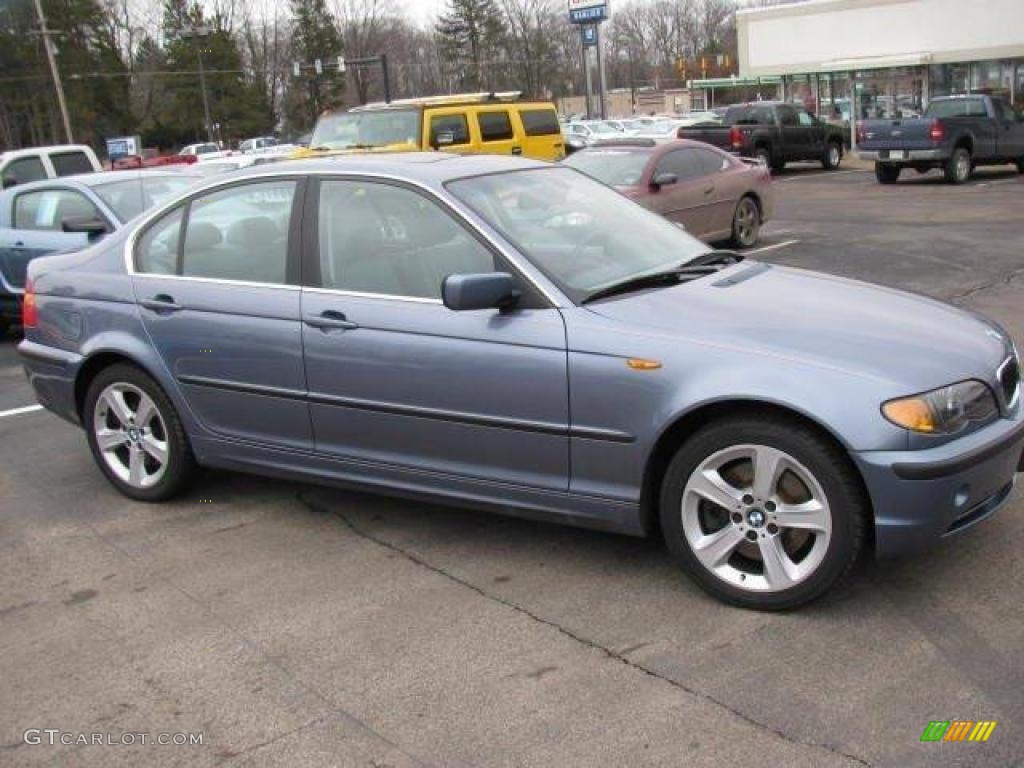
(509, 335)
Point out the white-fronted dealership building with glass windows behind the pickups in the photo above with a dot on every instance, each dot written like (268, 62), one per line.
(854, 60)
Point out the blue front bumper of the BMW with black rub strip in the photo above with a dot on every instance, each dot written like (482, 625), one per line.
(920, 497)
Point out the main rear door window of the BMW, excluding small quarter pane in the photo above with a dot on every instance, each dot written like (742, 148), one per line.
(240, 234)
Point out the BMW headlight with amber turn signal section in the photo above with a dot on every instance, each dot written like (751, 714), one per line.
(944, 411)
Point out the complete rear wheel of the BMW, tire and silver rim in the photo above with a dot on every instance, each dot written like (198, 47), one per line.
(136, 435)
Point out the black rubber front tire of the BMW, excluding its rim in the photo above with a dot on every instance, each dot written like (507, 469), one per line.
(848, 506)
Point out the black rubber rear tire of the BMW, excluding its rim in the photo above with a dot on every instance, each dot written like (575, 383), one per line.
(181, 463)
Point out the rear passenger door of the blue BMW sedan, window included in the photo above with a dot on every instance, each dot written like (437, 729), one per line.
(218, 286)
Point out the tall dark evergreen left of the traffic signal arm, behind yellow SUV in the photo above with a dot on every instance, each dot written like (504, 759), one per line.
(316, 36)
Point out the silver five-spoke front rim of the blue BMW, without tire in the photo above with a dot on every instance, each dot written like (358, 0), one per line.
(756, 519)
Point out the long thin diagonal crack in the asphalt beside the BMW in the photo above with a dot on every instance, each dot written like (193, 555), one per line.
(320, 508)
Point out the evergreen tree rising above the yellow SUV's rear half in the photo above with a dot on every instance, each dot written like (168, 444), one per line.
(471, 33)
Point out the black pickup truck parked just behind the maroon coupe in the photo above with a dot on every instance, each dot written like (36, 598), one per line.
(775, 133)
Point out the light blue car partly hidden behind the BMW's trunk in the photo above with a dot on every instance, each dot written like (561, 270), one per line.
(69, 214)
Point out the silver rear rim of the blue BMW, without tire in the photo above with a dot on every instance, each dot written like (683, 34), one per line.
(132, 436)
